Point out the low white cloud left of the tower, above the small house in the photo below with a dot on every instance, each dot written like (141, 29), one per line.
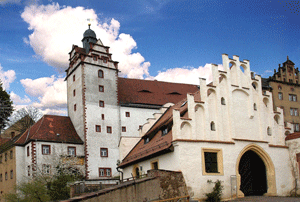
(50, 92)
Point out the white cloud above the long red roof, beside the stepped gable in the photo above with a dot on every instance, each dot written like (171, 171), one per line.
(188, 75)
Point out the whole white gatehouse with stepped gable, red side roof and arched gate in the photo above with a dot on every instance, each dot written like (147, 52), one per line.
(228, 131)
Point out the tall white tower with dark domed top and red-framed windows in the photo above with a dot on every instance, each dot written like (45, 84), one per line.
(93, 104)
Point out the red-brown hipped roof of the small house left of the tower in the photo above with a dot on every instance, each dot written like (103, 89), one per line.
(51, 128)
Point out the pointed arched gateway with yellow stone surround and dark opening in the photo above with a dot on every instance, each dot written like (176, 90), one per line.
(255, 172)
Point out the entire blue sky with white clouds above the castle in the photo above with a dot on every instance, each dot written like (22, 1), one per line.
(167, 40)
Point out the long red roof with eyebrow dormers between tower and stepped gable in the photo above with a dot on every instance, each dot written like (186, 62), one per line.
(137, 91)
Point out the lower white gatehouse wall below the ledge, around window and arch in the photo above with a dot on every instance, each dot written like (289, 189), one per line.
(187, 158)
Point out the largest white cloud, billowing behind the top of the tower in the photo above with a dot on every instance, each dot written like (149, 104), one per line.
(56, 28)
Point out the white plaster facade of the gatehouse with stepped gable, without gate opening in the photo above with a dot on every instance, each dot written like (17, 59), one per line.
(244, 120)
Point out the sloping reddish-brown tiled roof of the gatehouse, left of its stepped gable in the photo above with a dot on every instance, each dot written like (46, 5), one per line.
(158, 144)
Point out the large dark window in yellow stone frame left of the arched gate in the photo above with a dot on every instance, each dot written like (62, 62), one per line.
(212, 163)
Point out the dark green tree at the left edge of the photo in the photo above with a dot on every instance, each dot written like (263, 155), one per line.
(5, 107)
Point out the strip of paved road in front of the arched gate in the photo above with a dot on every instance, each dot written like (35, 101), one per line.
(267, 199)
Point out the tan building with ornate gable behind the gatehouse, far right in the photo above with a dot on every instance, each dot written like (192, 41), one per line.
(286, 91)
